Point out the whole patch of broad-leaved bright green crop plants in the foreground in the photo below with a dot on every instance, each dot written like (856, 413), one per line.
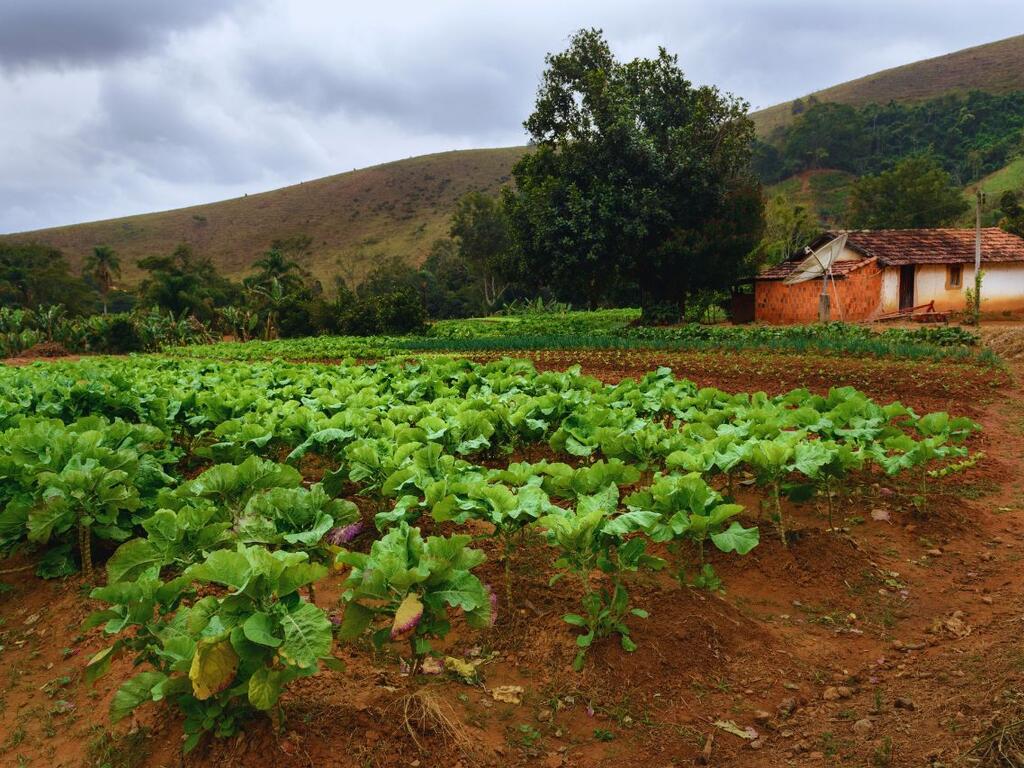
(98, 451)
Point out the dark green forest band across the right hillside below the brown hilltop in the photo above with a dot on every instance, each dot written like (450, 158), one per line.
(970, 137)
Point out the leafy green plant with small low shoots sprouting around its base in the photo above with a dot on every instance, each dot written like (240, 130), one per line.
(591, 537)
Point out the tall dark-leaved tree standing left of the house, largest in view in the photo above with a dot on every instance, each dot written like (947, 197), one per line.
(634, 177)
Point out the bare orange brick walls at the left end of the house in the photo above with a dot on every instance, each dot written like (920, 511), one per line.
(856, 296)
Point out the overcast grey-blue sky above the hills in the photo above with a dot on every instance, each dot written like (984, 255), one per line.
(110, 108)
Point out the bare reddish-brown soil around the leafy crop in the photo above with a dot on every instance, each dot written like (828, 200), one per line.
(893, 642)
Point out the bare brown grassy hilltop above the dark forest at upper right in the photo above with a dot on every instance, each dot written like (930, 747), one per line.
(996, 68)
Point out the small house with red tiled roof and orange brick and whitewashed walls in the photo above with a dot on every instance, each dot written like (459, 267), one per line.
(884, 271)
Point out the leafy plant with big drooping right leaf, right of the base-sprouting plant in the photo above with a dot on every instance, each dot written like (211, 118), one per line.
(689, 509)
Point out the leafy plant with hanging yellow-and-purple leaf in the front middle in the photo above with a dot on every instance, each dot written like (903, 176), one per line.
(413, 583)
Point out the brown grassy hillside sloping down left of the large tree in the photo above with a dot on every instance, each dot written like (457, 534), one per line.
(398, 208)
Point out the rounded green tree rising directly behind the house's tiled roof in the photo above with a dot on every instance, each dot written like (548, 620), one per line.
(915, 194)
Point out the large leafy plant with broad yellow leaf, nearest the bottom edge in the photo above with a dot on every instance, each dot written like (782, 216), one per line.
(223, 657)
